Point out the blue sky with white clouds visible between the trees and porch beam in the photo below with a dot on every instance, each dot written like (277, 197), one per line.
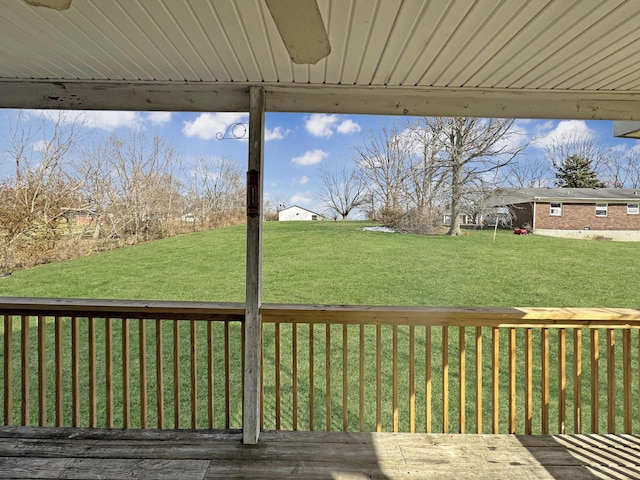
(297, 145)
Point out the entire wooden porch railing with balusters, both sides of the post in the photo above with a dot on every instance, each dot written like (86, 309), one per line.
(179, 365)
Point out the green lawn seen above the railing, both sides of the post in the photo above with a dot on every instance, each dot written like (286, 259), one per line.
(338, 263)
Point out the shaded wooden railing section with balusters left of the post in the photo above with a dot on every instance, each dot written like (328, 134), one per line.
(99, 363)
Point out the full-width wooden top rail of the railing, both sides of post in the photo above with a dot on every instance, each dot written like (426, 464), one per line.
(553, 317)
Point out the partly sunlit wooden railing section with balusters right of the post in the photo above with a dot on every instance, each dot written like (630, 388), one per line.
(509, 370)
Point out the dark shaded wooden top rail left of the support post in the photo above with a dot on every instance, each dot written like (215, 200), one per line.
(146, 309)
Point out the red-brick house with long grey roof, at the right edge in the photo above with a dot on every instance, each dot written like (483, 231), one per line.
(612, 213)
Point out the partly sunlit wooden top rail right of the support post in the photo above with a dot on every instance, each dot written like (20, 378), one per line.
(552, 317)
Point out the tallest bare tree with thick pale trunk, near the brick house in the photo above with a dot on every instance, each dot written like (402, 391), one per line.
(471, 149)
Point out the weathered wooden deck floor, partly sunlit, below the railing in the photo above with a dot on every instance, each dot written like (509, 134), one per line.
(133, 454)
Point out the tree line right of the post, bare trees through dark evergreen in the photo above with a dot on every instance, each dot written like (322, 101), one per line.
(409, 176)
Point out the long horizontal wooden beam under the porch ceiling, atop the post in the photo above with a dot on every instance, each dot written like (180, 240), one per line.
(320, 98)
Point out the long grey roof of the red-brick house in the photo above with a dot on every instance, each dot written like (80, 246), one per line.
(509, 196)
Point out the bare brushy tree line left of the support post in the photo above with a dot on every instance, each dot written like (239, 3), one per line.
(61, 187)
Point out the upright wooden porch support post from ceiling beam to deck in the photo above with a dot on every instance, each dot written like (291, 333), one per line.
(253, 321)
